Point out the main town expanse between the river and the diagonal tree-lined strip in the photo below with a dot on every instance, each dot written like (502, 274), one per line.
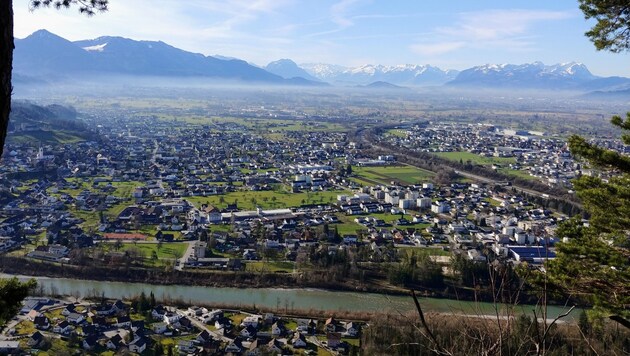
(226, 194)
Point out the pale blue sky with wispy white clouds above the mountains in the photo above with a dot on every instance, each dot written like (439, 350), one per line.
(455, 34)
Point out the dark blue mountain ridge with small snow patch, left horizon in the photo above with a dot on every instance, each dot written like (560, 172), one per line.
(43, 53)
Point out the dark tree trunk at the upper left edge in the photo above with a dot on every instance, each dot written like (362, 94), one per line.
(6, 66)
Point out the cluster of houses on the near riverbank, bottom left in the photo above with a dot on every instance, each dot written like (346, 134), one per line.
(145, 326)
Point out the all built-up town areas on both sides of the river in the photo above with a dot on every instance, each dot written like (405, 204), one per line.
(283, 202)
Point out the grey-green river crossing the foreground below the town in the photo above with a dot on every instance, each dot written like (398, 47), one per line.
(273, 298)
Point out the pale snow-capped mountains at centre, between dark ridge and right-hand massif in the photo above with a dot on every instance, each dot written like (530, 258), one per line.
(406, 74)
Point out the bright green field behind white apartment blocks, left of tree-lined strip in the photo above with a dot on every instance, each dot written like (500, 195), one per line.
(407, 175)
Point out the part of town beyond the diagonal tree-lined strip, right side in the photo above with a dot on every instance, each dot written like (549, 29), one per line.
(528, 154)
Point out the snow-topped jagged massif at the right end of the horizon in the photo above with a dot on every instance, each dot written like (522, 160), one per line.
(529, 75)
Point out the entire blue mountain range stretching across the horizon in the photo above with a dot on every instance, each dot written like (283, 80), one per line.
(43, 55)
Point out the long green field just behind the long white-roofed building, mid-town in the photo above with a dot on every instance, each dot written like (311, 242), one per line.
(271, 199)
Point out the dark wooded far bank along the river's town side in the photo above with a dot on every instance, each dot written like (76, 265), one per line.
(240, 279)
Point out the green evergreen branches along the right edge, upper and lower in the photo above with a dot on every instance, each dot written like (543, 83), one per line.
(594, 264)
